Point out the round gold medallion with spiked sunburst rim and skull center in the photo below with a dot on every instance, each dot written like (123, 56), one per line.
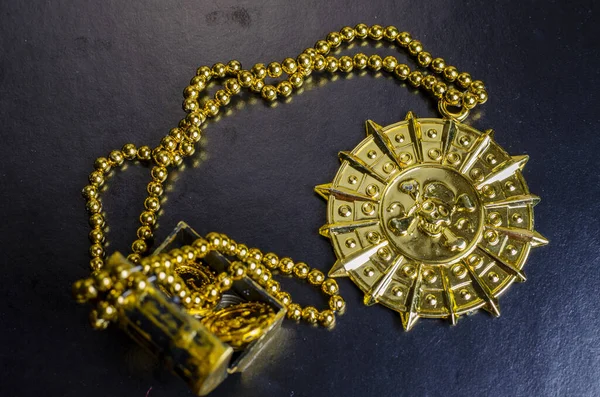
(430, 218)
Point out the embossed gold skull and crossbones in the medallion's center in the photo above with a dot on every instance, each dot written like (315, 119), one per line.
(434, 206)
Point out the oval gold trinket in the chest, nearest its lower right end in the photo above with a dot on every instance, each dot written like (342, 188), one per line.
(240, 324)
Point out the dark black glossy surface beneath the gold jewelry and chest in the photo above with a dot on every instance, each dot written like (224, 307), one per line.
(80, 78)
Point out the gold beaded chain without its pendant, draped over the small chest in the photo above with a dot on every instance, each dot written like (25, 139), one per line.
(461, 92)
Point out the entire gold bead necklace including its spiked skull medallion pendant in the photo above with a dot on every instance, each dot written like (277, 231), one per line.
(429, 217)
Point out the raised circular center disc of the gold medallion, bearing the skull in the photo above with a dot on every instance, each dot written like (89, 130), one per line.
(432, 214)
